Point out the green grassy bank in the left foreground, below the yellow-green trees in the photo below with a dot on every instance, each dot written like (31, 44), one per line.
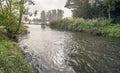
(11, 57)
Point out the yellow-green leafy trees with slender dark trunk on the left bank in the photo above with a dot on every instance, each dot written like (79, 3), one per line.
(11, 12)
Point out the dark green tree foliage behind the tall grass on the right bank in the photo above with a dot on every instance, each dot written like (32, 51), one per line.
(94, 8)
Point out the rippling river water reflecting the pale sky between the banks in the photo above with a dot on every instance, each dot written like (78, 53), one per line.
(52, 51)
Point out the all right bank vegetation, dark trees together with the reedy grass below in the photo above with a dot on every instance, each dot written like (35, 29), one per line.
(99, 17)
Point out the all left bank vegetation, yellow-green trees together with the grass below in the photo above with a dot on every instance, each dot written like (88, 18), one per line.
(11, 57)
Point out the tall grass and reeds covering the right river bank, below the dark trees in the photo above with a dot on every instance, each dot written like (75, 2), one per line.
(94, 26)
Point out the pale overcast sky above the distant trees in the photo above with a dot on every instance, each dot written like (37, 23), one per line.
(50, 4)
